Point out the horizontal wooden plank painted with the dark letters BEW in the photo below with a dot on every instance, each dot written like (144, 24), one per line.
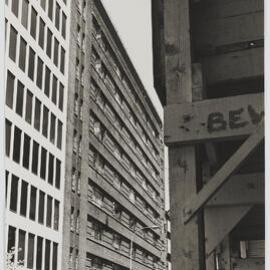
(213, 119)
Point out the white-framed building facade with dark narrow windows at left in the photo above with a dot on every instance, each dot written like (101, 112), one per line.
(37, 46)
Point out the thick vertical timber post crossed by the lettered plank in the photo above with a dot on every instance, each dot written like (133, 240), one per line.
(182, 160)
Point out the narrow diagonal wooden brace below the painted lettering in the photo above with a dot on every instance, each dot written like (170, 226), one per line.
(245, 150)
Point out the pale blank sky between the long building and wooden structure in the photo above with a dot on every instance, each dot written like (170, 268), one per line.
(132, 21)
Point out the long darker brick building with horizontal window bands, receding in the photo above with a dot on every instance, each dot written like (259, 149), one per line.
(114, 214)
